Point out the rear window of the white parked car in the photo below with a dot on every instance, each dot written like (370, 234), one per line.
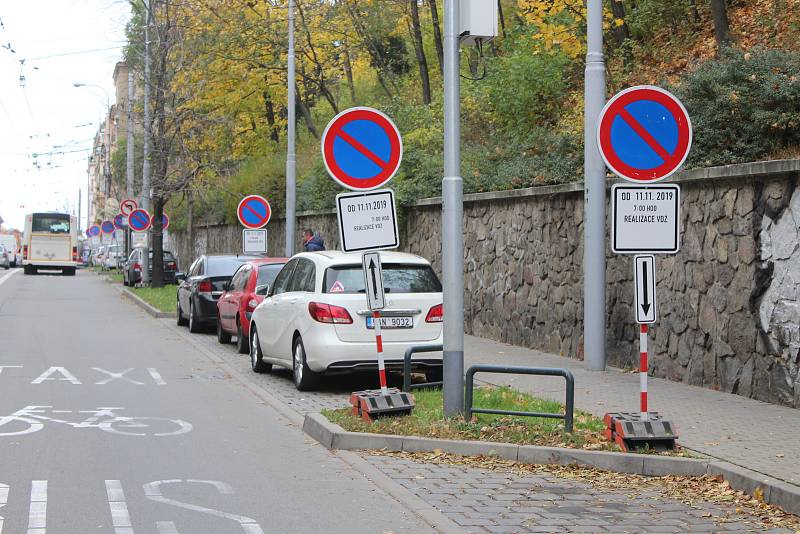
(397, 278)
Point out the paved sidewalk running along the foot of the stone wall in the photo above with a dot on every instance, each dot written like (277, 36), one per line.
(752, 434)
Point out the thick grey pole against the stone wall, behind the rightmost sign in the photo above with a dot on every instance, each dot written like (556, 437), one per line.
(594, 221)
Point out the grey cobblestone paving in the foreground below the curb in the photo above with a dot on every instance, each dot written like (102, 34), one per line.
(503, 502)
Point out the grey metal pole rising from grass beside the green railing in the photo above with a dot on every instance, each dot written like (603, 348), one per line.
(452, 212)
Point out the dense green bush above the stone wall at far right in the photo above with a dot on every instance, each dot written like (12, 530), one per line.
(744, 106)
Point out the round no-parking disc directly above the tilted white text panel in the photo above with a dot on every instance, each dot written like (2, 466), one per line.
(362, 148)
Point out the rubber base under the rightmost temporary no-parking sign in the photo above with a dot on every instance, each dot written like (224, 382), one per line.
(631, 433)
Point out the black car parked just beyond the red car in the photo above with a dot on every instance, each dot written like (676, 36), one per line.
(201, 287)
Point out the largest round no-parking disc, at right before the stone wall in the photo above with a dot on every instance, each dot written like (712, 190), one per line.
(644, 134)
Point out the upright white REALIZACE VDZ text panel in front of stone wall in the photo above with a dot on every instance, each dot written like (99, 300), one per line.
(645, 219)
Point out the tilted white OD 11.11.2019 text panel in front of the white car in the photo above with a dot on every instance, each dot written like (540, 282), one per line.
(367, 221)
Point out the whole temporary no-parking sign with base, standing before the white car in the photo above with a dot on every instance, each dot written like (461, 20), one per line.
(362, 150)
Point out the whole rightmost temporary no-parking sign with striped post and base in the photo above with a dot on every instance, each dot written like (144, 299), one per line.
(644, 136)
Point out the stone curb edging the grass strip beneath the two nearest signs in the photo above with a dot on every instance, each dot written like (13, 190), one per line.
(775, 492)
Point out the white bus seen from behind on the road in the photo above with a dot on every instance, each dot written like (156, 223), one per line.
(51, 242)
